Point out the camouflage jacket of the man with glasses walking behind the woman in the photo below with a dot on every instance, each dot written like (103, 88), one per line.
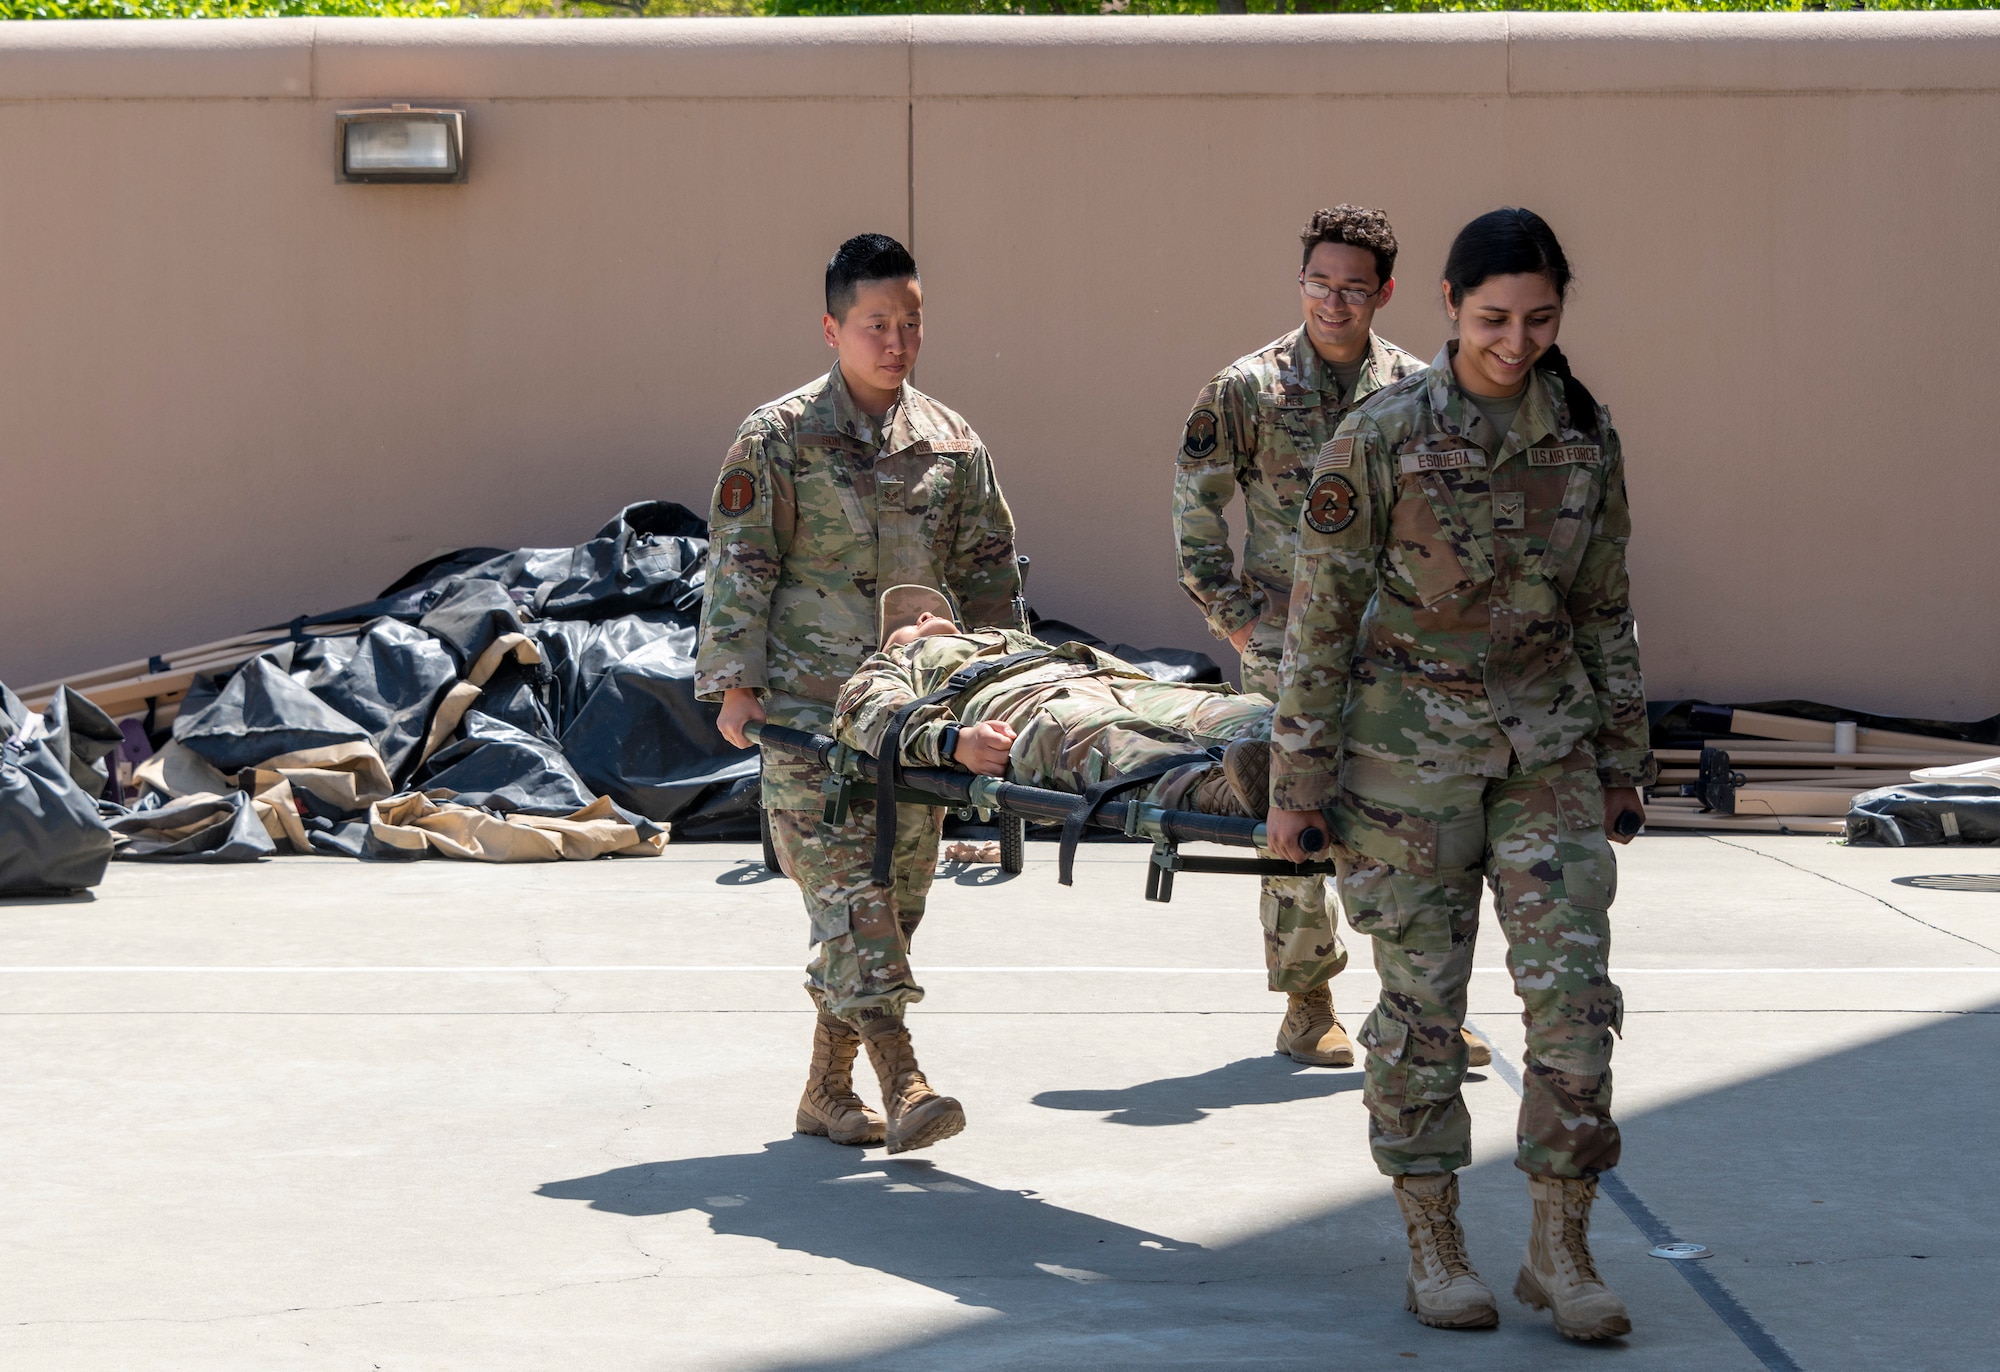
(1259, 427)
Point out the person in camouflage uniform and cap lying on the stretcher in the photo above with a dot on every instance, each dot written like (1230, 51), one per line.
(1061, 717)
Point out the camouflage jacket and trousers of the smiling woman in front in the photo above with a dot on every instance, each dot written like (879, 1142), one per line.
(1461, 683)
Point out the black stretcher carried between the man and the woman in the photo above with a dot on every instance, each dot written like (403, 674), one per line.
(987, 799)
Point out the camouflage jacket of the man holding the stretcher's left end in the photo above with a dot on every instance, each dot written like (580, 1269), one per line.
(817, 511)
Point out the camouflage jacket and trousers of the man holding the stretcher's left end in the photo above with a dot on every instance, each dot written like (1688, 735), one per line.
(819, 509)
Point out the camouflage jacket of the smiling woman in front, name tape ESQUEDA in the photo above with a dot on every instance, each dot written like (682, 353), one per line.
(1455, 611)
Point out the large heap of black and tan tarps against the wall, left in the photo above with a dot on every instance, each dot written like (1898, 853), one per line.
(491, 705)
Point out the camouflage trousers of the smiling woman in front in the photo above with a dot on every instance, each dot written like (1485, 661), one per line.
(1421, 847)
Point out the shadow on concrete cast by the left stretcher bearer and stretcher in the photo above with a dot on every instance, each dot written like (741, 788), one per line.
(905, 1217)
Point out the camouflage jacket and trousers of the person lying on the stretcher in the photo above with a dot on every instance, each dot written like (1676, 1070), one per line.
(1079, 717)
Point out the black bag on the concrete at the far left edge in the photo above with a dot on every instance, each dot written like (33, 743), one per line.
(51, 835)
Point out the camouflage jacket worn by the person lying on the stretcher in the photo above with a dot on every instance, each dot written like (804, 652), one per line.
(893, 679)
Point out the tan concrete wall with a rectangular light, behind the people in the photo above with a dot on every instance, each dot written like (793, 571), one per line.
(233, 391)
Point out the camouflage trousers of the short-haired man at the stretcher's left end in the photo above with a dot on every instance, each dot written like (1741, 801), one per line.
(861, 933)
